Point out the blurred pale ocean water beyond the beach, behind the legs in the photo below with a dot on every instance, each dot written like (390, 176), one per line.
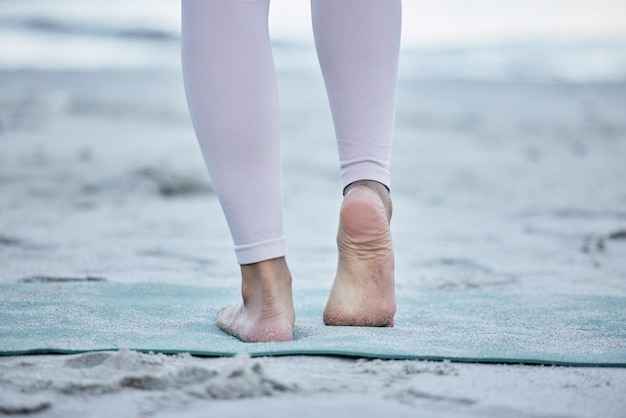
(485, 40)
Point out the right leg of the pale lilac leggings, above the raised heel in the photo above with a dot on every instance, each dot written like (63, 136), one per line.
(357, 45)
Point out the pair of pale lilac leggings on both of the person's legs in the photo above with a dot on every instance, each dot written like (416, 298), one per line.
(232, 94)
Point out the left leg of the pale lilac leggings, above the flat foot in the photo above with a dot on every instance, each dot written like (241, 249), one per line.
(232, 95)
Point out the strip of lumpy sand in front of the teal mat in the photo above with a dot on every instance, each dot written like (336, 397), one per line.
(129, 384)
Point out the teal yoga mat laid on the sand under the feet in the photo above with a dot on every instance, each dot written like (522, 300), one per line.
(458, 326)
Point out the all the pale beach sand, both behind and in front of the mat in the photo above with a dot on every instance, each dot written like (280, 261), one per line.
(498, 186)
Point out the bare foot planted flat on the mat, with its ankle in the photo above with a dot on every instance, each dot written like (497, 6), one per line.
(266, 313)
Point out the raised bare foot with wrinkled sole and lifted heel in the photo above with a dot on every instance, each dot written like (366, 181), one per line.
(363, 292)
